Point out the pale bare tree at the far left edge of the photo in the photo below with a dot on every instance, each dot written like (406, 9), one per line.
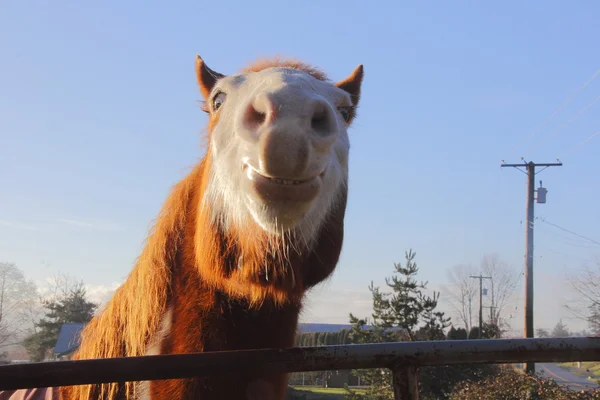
(16, 296)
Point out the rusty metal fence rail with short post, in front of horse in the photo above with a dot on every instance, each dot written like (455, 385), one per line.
(403, 358)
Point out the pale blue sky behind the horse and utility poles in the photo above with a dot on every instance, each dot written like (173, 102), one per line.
(99, 117)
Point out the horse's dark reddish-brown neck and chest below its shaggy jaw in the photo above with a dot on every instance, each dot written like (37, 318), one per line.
(201, 318)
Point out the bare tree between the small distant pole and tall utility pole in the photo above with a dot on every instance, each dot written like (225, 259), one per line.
(502, 285)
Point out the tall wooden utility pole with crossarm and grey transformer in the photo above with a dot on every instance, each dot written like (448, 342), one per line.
(530, 171)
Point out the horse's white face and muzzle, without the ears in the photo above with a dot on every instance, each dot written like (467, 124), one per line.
(279, 147)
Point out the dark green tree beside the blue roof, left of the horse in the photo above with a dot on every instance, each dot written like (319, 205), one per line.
(69, 305)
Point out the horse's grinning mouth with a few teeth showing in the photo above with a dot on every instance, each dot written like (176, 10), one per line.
(283, 189)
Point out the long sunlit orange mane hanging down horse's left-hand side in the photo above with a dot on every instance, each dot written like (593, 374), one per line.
(132, 316)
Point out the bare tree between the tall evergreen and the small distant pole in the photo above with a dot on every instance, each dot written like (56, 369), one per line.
(463, 293)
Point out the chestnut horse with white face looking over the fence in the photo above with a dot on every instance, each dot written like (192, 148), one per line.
(239, 241)
